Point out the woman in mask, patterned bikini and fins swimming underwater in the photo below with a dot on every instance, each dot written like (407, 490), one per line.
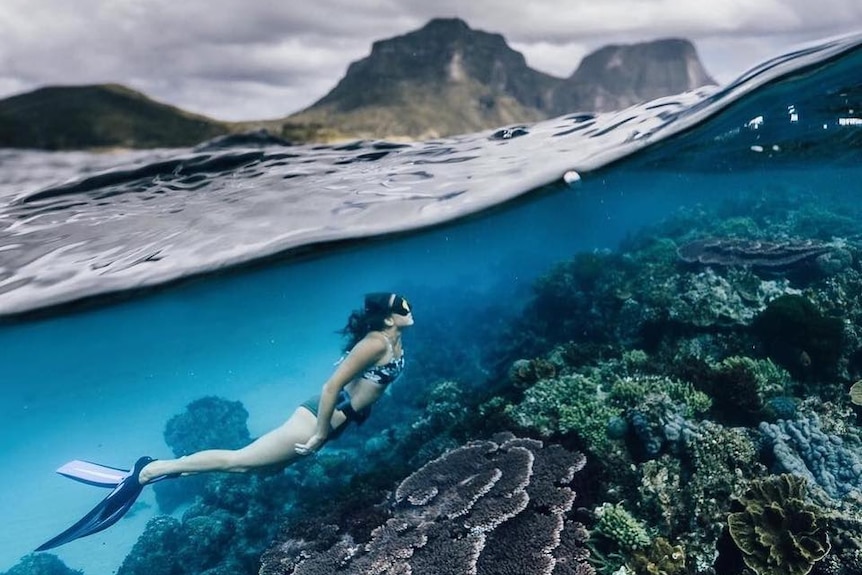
(374, 359)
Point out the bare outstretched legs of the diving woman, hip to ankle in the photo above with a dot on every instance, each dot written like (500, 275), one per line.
(275, 447)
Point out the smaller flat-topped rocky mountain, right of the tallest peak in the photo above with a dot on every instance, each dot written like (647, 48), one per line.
(616, 77)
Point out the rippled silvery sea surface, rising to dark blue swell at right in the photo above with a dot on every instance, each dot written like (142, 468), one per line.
(141, 219)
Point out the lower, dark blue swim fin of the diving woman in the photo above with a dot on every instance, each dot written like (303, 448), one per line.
(111, 509)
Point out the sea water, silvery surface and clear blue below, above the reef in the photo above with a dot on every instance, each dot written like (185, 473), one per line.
(253, 256)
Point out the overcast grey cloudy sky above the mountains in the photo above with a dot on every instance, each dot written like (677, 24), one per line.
(259, 59)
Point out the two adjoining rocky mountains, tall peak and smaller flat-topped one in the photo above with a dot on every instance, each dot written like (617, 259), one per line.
(447, 78)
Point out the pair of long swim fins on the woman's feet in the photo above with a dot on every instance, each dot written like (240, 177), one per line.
(125, 489)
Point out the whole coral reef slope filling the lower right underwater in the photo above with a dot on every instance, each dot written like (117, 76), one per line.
(685, 368)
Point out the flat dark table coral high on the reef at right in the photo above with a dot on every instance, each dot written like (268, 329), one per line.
(751, 253)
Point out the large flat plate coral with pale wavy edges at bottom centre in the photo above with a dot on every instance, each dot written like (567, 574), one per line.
(488, 507)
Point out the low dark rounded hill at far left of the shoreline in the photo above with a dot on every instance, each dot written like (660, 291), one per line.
(98, 116)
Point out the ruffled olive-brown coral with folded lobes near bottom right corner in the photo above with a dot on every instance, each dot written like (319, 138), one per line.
(777, 531)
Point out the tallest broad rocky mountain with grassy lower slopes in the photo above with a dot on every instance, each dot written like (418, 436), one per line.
(442, 79)
